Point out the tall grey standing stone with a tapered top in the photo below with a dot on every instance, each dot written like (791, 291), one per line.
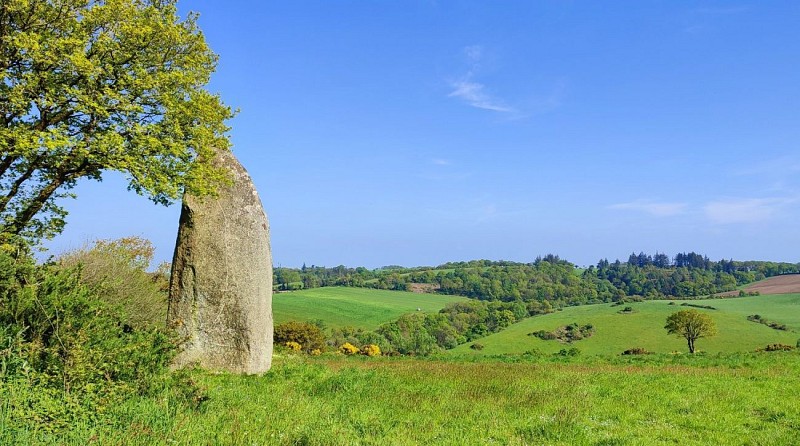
(220, 293)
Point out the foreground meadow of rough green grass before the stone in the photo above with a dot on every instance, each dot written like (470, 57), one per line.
(739, 399)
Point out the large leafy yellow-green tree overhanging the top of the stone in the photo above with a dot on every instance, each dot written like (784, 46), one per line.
(89, 86)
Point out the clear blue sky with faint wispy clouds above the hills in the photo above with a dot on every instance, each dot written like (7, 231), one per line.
(420, 132)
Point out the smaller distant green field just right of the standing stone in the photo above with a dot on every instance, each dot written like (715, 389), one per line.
(354, 307)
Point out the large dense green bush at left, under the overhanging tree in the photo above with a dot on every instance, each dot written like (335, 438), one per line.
(66, 355)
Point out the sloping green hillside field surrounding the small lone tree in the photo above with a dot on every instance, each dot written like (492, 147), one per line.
(615, 332)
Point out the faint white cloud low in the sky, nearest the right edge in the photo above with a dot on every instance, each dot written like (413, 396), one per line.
(744, 210)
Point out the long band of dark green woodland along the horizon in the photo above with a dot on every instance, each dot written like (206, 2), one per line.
(551, 279)
